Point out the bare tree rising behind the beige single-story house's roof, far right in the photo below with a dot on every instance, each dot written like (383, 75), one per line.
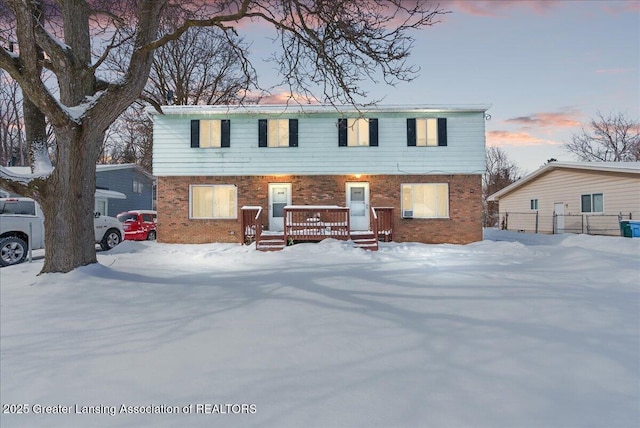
(607, 138)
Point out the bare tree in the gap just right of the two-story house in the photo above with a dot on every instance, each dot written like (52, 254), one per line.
(500, 172)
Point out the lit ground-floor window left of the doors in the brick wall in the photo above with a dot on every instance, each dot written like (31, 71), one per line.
(212, 201)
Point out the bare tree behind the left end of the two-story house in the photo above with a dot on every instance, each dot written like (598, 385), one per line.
(202, 67)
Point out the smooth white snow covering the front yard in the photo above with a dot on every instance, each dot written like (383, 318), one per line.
(518, 330)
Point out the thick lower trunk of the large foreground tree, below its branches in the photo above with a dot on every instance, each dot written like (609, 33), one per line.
(68, 202)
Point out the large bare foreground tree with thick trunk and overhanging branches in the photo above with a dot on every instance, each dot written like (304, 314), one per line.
(328, 48)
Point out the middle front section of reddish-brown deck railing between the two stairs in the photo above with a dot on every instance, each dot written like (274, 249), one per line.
(315, 222)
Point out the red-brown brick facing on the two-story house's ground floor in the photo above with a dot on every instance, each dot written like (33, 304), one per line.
(463, 226)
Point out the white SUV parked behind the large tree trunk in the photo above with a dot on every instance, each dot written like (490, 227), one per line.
(22, 223)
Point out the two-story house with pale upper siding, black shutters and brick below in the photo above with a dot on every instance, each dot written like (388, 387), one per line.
(422, 164)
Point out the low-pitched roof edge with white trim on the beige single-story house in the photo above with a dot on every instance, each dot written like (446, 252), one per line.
(620, 167)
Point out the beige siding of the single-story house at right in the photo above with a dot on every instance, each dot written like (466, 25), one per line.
(621, 194)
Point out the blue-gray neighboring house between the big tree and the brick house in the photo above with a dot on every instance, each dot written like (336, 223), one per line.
(129, 179)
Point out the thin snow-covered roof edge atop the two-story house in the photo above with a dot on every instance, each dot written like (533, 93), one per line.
(294, 108)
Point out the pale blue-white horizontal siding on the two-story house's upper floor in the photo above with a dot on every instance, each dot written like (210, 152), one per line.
(318, 151)
